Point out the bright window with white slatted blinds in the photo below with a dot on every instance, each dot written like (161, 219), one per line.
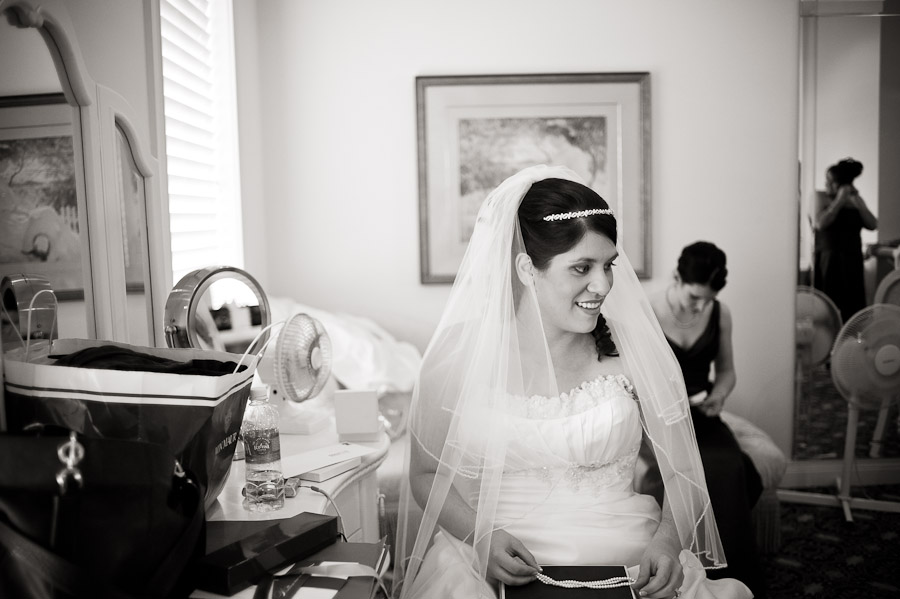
(201, 134)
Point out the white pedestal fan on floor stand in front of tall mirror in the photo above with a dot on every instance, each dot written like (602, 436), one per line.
(865, 368)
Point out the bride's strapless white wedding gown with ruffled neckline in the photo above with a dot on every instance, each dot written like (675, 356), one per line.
(567, 493)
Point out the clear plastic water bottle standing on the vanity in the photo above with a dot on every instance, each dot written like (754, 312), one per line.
(264, 482)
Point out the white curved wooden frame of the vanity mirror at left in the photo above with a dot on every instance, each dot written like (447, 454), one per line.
(97, 111)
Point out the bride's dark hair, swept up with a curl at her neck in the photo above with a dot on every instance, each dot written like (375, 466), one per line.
(545, 239)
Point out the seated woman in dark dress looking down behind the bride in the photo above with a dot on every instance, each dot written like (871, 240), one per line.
(698, 328)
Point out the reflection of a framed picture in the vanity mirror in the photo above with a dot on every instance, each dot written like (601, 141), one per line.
(40, 208)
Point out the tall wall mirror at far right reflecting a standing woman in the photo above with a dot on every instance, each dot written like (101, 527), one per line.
(850, 85)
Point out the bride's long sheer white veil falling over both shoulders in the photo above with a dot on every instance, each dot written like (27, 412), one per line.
(488, 349)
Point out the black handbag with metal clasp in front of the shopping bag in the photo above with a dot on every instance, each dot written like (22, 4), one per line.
(84, 517)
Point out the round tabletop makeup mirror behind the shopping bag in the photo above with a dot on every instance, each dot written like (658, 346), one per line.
(218, 307)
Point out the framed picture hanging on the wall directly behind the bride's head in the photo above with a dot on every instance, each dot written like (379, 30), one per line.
(475, 131)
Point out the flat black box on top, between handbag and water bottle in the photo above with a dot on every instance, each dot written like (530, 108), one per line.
(239, 552)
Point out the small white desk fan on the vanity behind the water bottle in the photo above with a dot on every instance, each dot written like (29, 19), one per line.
(296, 372)
